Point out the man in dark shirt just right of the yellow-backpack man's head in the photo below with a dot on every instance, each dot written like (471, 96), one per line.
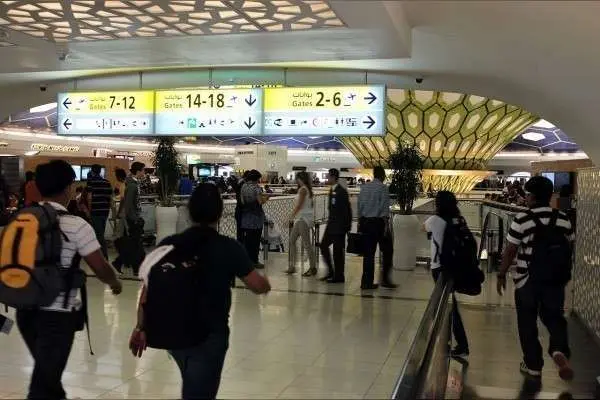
(100, 193)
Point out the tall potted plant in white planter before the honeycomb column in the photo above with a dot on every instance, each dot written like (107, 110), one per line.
(407, 165)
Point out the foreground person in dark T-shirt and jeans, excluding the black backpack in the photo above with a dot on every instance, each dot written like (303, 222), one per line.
(201, 365)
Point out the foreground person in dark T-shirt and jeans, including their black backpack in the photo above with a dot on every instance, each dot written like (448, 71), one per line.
(186, 295)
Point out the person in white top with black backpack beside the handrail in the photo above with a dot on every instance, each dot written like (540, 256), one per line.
(449, 233)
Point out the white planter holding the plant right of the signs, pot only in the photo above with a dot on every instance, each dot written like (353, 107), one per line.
(406, 233)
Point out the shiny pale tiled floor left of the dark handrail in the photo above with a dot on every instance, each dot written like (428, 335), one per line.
(306, 342)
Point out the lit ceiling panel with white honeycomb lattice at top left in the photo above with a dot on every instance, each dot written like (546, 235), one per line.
(64, 21)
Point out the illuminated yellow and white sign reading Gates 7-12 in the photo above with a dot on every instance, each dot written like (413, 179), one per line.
(106, 113)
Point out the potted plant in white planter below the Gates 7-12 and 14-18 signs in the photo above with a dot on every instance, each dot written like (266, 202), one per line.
(166, 163)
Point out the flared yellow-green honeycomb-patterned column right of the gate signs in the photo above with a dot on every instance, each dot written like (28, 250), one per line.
(453, 130)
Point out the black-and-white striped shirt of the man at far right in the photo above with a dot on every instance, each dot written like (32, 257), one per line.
(521, 234)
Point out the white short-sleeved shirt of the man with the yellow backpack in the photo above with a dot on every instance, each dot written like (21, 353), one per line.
(82, 241)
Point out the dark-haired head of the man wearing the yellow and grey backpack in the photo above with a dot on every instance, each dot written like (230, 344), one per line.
(55, 181)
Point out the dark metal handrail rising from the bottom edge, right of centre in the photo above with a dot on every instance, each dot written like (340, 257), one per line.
(425, 371)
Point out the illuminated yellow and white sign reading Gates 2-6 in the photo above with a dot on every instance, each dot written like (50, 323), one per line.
(314, 111)
